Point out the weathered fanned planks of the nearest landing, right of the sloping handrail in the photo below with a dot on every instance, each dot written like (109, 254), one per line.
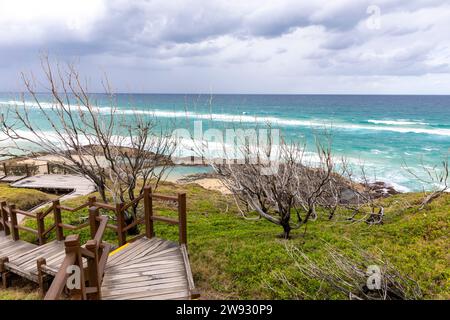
(147, 269)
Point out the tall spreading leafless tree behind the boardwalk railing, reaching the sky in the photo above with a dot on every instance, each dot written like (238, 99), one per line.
(113, 149)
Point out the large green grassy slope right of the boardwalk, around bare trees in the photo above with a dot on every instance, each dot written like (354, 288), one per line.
(233, 258)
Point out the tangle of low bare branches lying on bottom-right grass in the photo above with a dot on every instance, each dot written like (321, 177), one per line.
(359, 276)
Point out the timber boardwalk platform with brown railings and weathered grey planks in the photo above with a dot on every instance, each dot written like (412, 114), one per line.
(143, 267)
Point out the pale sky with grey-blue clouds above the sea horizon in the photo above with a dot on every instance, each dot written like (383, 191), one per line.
(251, 46)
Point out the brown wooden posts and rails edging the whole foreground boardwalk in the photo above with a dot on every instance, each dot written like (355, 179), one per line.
(96, 251)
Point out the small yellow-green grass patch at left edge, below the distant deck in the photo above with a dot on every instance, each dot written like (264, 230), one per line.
(24, 199)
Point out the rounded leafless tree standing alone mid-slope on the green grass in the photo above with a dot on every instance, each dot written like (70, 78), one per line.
(297, 186)
